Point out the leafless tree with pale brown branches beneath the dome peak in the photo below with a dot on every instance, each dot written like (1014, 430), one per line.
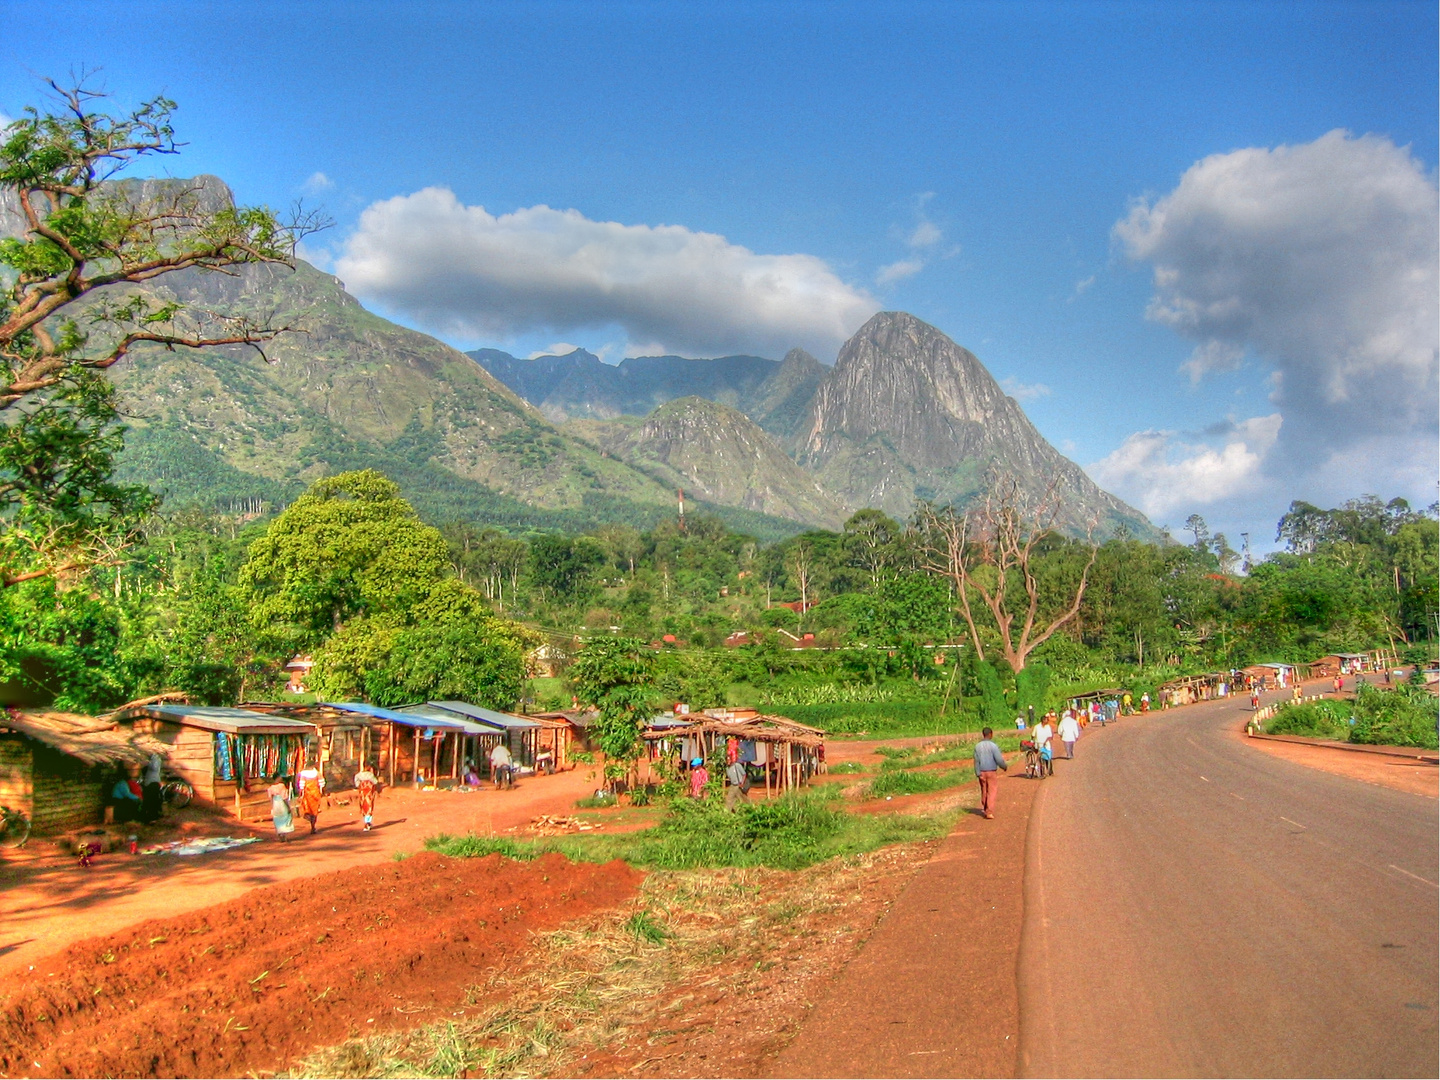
(989, 554)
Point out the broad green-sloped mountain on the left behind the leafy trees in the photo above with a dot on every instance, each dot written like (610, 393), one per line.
(231, 430)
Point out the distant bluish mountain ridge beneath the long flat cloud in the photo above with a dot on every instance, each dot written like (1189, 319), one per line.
(580, 385)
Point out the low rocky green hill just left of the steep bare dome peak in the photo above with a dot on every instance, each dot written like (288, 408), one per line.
(718, 454)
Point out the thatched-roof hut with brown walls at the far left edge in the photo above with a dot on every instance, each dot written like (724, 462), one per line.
(58, 768)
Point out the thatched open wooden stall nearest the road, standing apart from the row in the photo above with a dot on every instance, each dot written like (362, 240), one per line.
(788, 752)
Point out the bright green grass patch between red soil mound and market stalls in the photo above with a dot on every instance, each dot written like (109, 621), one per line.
(790, 833)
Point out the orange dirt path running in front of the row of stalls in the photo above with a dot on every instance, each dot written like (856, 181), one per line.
(47, 901)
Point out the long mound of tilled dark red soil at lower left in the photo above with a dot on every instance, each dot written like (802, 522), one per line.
(251, 986)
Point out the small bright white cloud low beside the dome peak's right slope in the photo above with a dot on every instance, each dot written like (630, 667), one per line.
(1163, 472)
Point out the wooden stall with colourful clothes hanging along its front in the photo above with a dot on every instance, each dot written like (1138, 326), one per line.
(228, 755)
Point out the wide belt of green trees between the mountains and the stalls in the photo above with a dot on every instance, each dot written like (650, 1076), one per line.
(858, 630)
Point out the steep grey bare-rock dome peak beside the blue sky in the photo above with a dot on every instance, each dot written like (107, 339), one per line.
(906, 414)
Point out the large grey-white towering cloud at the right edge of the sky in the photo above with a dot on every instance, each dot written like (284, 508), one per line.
(1320, 260)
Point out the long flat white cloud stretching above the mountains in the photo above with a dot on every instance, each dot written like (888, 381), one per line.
(463, 271)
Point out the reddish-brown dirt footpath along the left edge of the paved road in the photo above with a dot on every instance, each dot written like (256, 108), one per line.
(934, 990)
